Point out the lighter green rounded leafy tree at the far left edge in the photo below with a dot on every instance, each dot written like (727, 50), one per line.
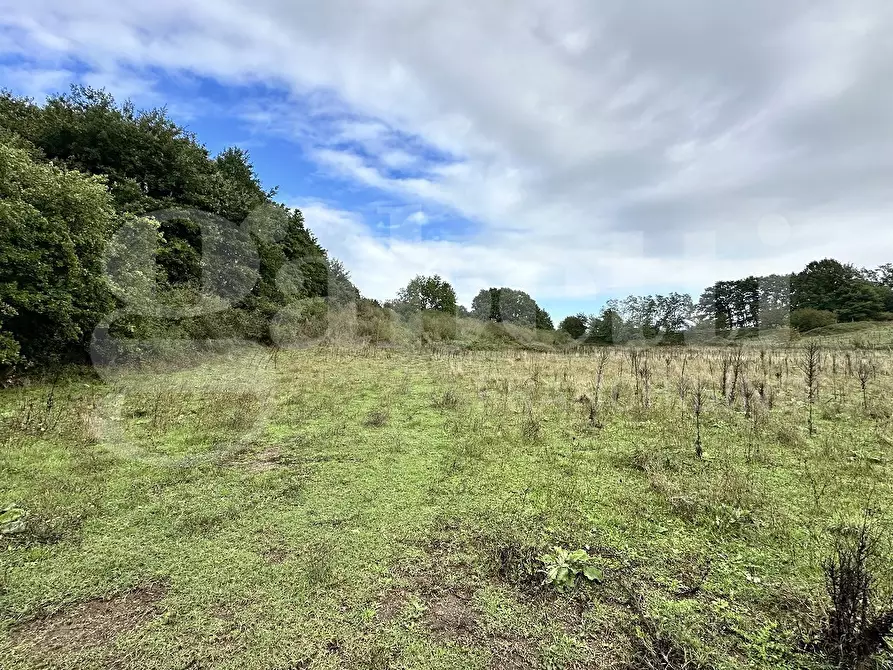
(53, 227)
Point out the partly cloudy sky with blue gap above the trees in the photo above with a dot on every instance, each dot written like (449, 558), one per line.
(575, 150)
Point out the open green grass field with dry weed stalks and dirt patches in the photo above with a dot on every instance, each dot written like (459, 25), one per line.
(369, 508)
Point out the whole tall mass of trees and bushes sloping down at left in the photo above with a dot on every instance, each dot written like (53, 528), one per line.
(218, 237)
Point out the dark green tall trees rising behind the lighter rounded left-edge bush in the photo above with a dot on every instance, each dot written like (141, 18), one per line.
(221, 233)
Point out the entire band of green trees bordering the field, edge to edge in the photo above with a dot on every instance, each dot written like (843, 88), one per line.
(84, 181)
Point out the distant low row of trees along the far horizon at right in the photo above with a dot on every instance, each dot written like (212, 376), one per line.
(822, 293)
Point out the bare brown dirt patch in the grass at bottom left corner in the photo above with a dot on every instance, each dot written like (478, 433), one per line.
(91, 624)
